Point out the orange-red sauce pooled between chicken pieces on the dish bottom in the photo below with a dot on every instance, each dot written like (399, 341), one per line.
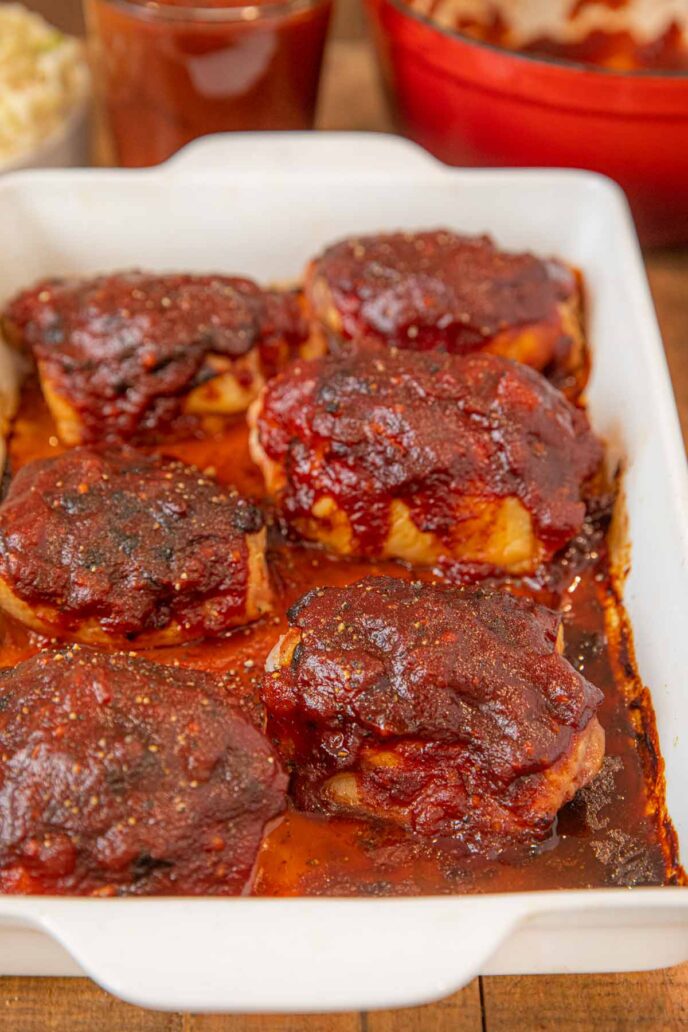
(616, 832)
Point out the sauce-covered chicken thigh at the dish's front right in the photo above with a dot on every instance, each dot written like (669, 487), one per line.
(450, 712)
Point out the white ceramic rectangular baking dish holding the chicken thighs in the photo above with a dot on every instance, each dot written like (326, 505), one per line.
(261, 205)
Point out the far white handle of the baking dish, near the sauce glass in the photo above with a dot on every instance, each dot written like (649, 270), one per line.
(368, 153)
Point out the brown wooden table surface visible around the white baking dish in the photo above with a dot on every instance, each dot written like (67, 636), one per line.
(647, 1003)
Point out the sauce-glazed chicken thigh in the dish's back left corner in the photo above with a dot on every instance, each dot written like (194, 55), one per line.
(121, 358)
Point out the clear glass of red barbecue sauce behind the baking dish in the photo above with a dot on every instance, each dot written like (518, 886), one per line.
(173, 71)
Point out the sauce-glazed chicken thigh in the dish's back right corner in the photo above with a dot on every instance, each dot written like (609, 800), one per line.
(439, 291)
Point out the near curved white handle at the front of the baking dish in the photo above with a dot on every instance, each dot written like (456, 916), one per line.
(274, 955)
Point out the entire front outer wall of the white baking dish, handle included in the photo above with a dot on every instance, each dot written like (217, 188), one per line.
(298, 955)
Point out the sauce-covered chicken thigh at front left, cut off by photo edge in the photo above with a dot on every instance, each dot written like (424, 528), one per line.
(127, 778)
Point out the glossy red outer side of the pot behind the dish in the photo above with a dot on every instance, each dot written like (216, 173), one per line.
(472, 104)
